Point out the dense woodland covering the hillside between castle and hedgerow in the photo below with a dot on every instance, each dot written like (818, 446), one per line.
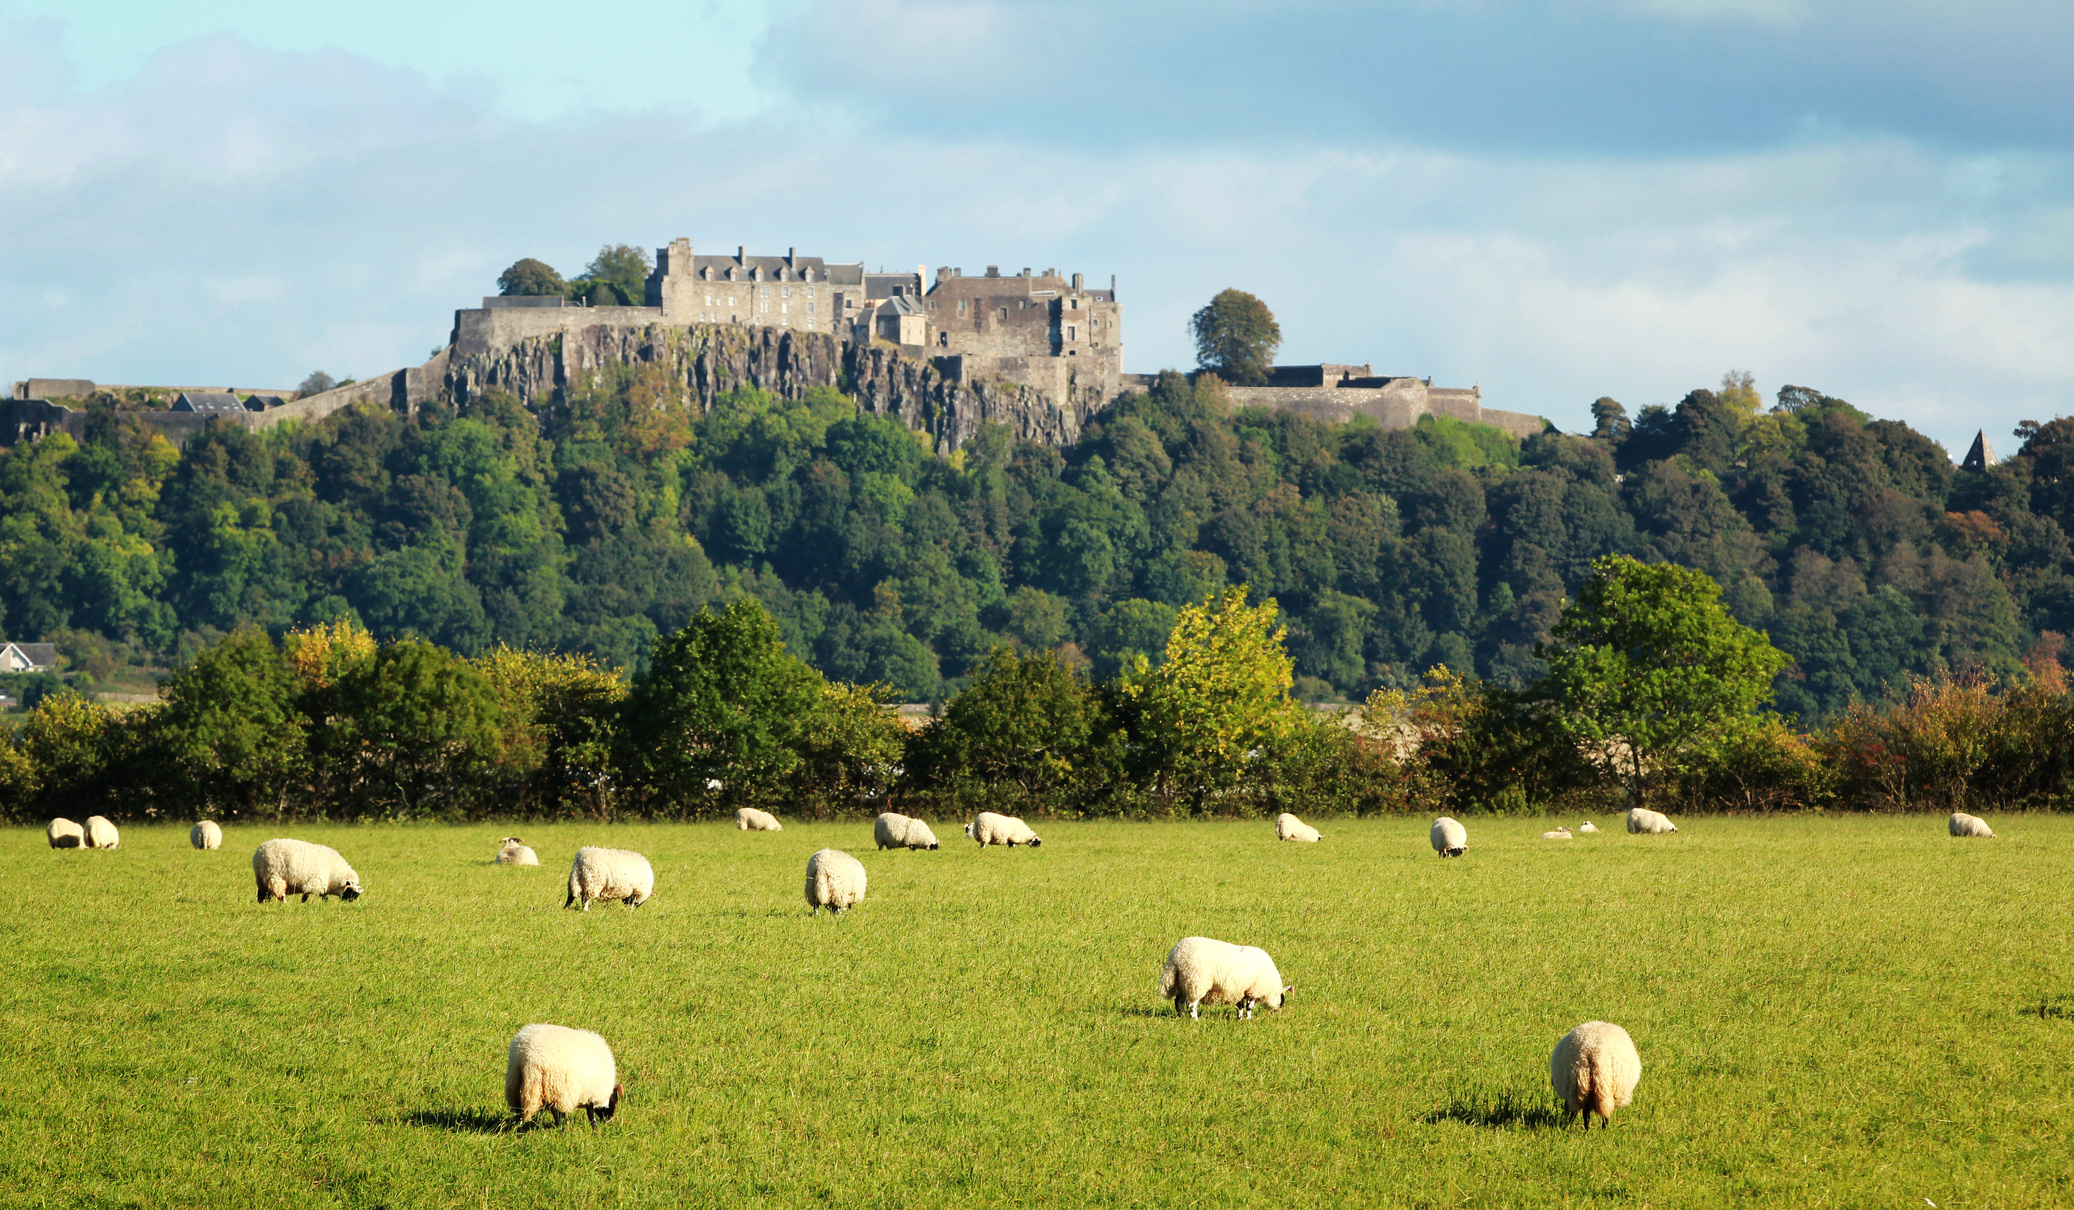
(609, 520)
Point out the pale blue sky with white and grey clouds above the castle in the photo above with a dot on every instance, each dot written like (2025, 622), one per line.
(1557, 200)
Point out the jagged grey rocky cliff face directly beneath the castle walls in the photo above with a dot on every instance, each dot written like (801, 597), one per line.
(712, 360)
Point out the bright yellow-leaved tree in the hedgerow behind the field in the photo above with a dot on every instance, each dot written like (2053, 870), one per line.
(1216, 703)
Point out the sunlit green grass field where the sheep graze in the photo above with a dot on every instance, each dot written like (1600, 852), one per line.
(1832, 1012)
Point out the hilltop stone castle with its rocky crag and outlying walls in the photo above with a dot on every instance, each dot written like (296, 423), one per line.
(1038, 352)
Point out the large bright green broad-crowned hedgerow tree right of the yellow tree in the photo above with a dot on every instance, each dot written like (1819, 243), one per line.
(1648, 663)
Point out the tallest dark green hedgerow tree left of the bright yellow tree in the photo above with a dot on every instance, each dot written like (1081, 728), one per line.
(723, 703)
